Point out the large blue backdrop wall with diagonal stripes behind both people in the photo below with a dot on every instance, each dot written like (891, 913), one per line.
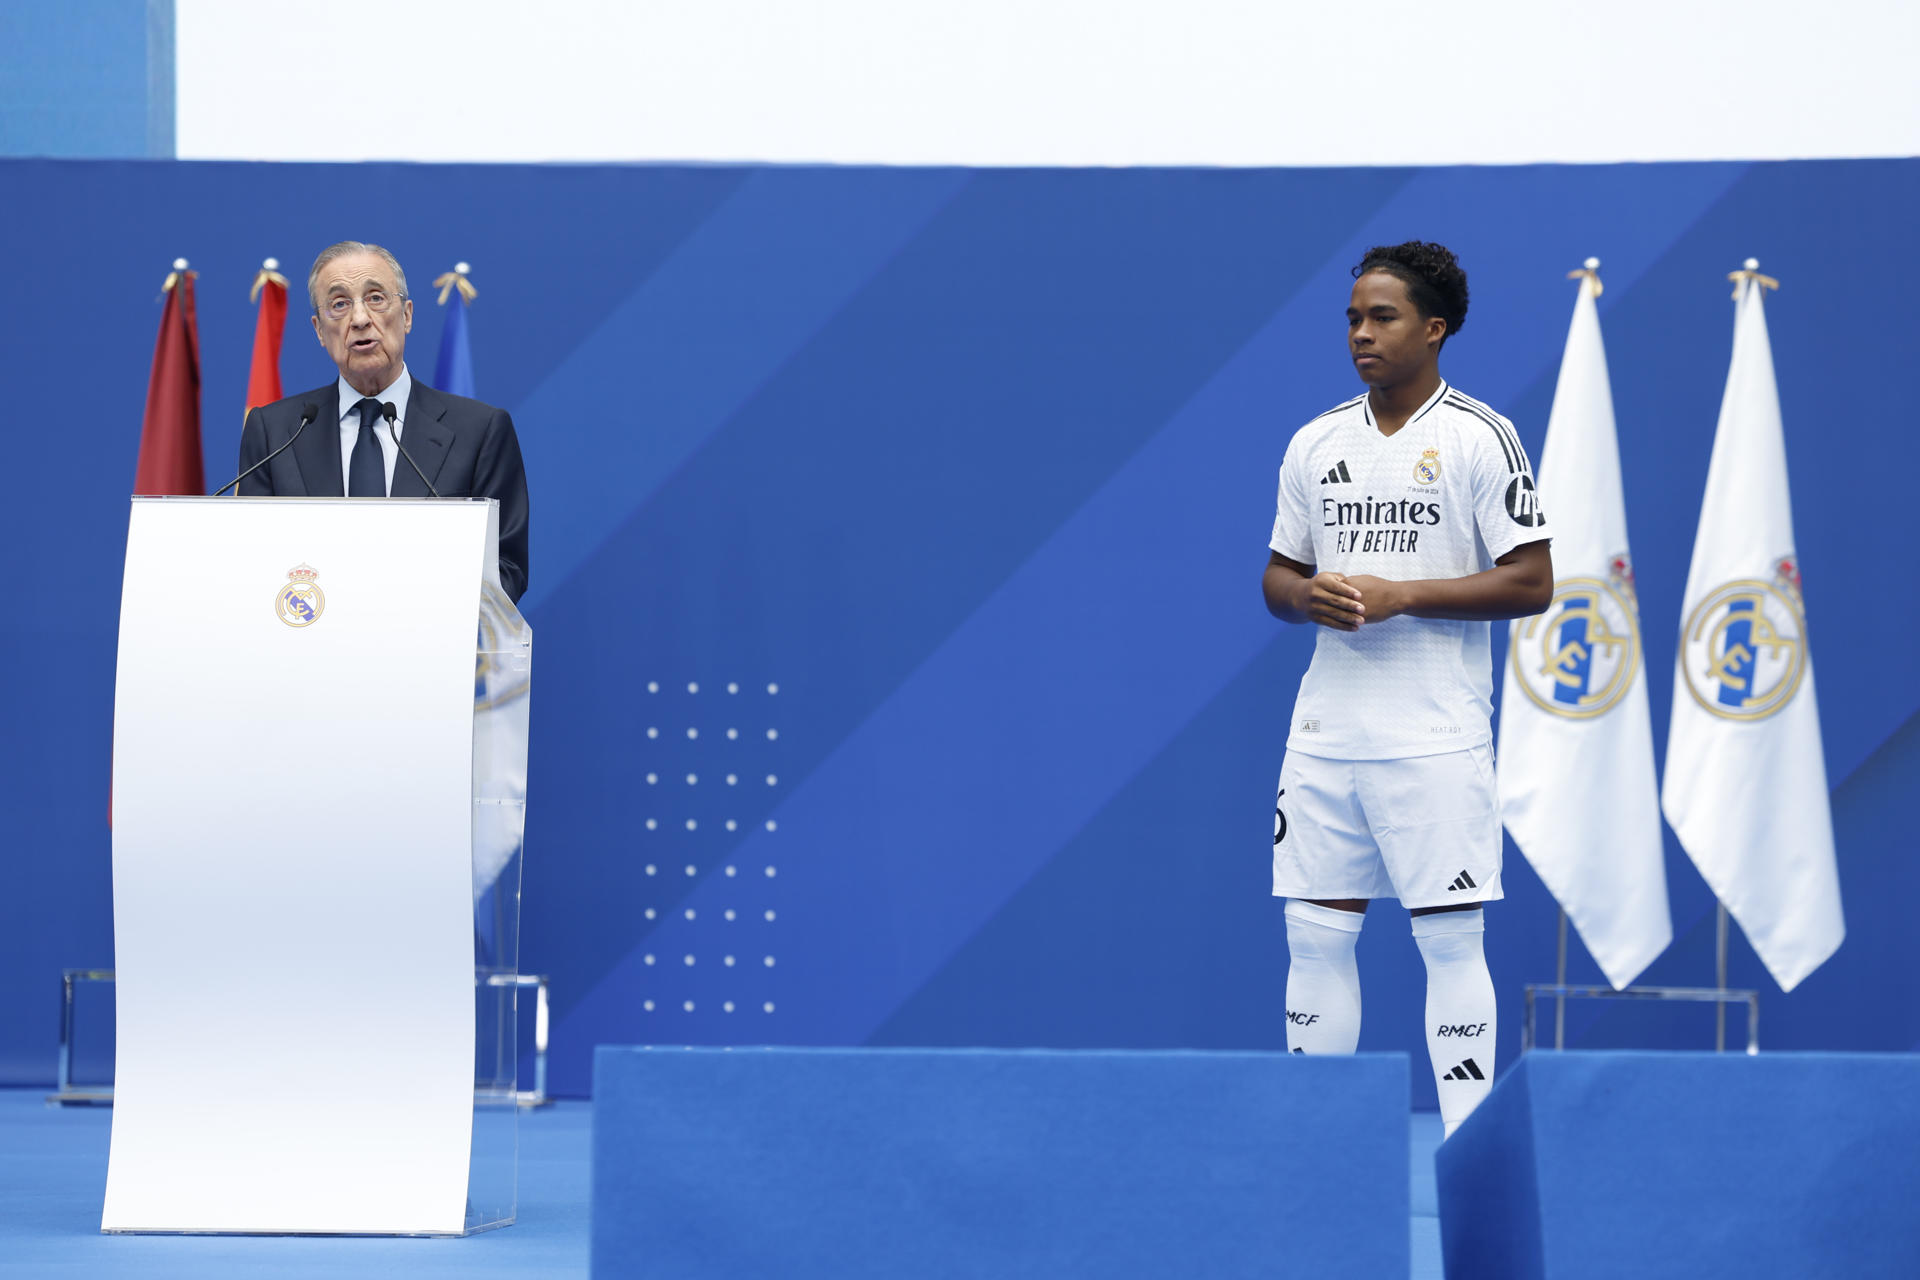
(949, 492)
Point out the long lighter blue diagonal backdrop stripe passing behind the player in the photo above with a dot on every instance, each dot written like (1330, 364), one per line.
(1130, 619)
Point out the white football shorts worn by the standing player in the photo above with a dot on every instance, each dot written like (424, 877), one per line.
(1422, 830)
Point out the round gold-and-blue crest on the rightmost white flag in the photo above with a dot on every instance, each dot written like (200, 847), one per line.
(1744, 648)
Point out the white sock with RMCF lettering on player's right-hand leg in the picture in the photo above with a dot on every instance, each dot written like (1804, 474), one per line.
(1460, 1010)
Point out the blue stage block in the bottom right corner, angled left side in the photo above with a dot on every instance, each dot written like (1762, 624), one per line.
(1689, 1166)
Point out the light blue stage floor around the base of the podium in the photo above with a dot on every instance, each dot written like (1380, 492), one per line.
(55, 1170)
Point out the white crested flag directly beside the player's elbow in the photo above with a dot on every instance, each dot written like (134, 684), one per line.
(1575, 736)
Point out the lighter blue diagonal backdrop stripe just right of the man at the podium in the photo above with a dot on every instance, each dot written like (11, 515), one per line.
(738, 300)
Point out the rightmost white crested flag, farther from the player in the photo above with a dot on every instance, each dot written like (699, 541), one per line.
(1746, 782)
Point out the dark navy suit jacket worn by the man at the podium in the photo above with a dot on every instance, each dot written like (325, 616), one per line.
(466, 448)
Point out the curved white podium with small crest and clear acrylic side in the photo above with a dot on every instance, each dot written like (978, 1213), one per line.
(320, 795)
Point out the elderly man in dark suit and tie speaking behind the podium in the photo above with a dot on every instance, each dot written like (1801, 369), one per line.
(362, 316)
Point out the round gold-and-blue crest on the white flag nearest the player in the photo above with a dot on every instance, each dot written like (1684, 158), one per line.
(1581, 655)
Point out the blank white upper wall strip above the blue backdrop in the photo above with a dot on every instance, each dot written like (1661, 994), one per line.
(1047, 82)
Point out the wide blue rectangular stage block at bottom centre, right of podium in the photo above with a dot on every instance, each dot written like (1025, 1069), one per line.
(894, 1164)
